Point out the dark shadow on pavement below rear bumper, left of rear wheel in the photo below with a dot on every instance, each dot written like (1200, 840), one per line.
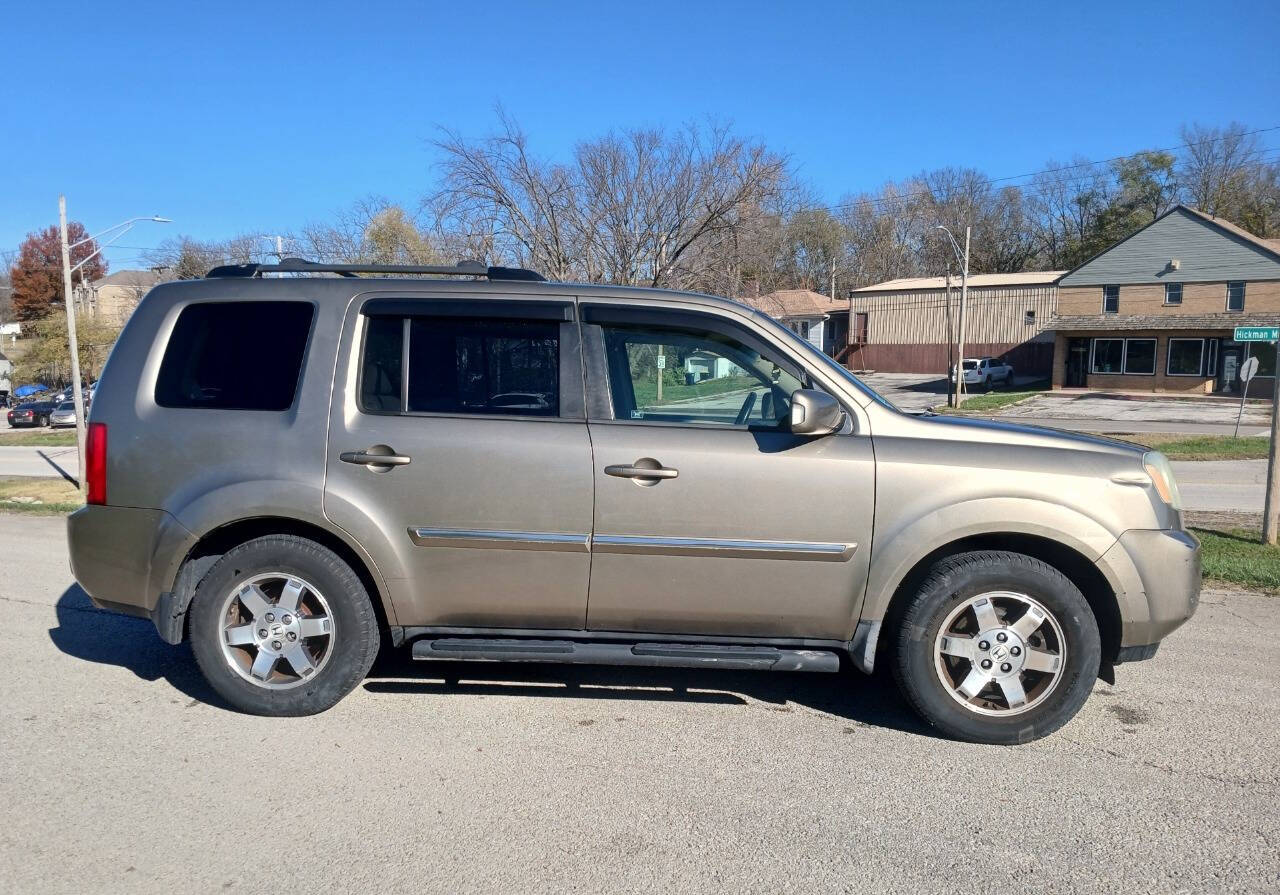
(111, 638)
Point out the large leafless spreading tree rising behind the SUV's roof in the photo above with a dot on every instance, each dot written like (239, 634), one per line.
(632, 208)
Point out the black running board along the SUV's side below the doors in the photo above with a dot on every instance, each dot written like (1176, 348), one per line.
(651, 655)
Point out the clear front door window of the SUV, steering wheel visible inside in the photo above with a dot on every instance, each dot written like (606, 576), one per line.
(660, 375)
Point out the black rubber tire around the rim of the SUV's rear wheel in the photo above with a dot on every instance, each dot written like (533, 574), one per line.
(355, 640)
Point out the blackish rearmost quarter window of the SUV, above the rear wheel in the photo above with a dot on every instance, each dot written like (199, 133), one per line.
(243, 355)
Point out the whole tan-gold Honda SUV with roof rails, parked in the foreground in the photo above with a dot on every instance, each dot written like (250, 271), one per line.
(289, 469)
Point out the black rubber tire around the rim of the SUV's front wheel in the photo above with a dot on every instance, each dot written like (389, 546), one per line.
(959, 578)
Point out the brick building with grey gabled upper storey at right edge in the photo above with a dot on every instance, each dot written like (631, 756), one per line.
(1158, 312)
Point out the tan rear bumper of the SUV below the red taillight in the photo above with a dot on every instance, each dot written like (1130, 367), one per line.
(126, 558)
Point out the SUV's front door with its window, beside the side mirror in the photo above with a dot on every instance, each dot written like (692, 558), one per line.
(743, 529)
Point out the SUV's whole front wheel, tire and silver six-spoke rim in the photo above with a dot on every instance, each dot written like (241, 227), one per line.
(998, 647)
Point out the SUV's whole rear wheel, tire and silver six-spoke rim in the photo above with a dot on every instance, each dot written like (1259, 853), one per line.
(282, 625)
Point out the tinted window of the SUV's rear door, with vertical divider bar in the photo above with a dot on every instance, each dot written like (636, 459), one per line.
(461, 366)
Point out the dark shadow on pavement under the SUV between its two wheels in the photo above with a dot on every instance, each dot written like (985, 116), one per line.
(848, 695)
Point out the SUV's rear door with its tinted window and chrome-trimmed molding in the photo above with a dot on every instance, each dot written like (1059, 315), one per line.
(483, 513)
